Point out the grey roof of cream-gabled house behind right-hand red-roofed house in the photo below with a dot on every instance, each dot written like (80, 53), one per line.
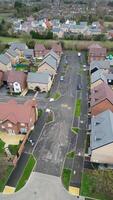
(98, 75)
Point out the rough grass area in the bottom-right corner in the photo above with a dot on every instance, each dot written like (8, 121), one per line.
(97, 184)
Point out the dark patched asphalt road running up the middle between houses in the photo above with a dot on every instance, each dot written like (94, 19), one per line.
(55, 139)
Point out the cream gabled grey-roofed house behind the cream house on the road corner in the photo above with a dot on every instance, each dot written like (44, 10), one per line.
(49, 64)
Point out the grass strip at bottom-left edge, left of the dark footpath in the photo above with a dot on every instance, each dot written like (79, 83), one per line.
(6, 175)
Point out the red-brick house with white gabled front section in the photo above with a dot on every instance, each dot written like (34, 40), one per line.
(16, 81)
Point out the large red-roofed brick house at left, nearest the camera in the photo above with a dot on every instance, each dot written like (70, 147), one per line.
(18, 118)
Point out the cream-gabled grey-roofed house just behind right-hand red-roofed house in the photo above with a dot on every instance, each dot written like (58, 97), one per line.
(97, 78)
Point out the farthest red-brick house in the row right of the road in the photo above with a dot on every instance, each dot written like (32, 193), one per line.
(96, 52)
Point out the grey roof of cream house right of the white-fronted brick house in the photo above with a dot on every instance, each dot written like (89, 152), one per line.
(39, 77)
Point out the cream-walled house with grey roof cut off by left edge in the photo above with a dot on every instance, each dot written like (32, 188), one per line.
(5, 63)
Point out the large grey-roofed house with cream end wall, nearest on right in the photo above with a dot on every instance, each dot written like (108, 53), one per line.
(101, 139)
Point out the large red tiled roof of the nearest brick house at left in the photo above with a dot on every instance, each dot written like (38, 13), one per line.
(15, 112)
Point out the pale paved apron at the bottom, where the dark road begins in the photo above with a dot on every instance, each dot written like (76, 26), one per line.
(41, 187)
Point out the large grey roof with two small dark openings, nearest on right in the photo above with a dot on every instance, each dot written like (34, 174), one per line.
(102, 129)
